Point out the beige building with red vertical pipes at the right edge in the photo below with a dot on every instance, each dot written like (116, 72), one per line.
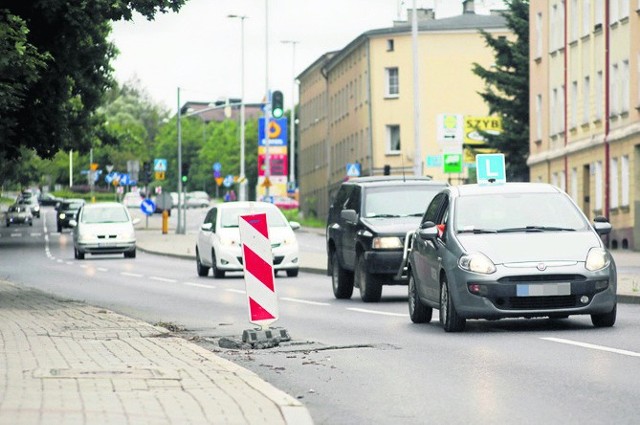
(585, 107)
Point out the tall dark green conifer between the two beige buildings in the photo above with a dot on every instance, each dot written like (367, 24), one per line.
(507, 92)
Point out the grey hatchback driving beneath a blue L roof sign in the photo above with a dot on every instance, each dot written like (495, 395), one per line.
(511, 250)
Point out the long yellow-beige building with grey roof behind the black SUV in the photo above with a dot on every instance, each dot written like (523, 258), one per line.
(357, 104)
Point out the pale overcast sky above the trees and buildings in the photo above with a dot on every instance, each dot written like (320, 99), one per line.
(199, 49)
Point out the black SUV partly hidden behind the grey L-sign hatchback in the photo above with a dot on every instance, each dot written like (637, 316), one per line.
(366, 227)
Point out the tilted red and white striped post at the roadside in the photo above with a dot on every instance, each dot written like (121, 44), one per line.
(258, 269)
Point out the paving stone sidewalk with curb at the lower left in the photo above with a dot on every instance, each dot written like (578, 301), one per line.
(64, 362)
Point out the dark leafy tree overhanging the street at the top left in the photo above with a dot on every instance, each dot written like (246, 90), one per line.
(55, 67)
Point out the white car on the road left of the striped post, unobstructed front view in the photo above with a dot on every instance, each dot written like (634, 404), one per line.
(104, 228)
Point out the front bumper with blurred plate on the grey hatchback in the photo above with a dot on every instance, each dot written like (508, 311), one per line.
(527, 292)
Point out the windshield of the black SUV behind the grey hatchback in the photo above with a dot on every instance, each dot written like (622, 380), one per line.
(398, 201)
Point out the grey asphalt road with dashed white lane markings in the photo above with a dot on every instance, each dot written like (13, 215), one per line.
(356, 363)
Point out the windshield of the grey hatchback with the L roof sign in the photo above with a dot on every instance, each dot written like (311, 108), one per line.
(520, 212)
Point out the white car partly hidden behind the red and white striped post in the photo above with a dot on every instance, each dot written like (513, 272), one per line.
(219, 247)
